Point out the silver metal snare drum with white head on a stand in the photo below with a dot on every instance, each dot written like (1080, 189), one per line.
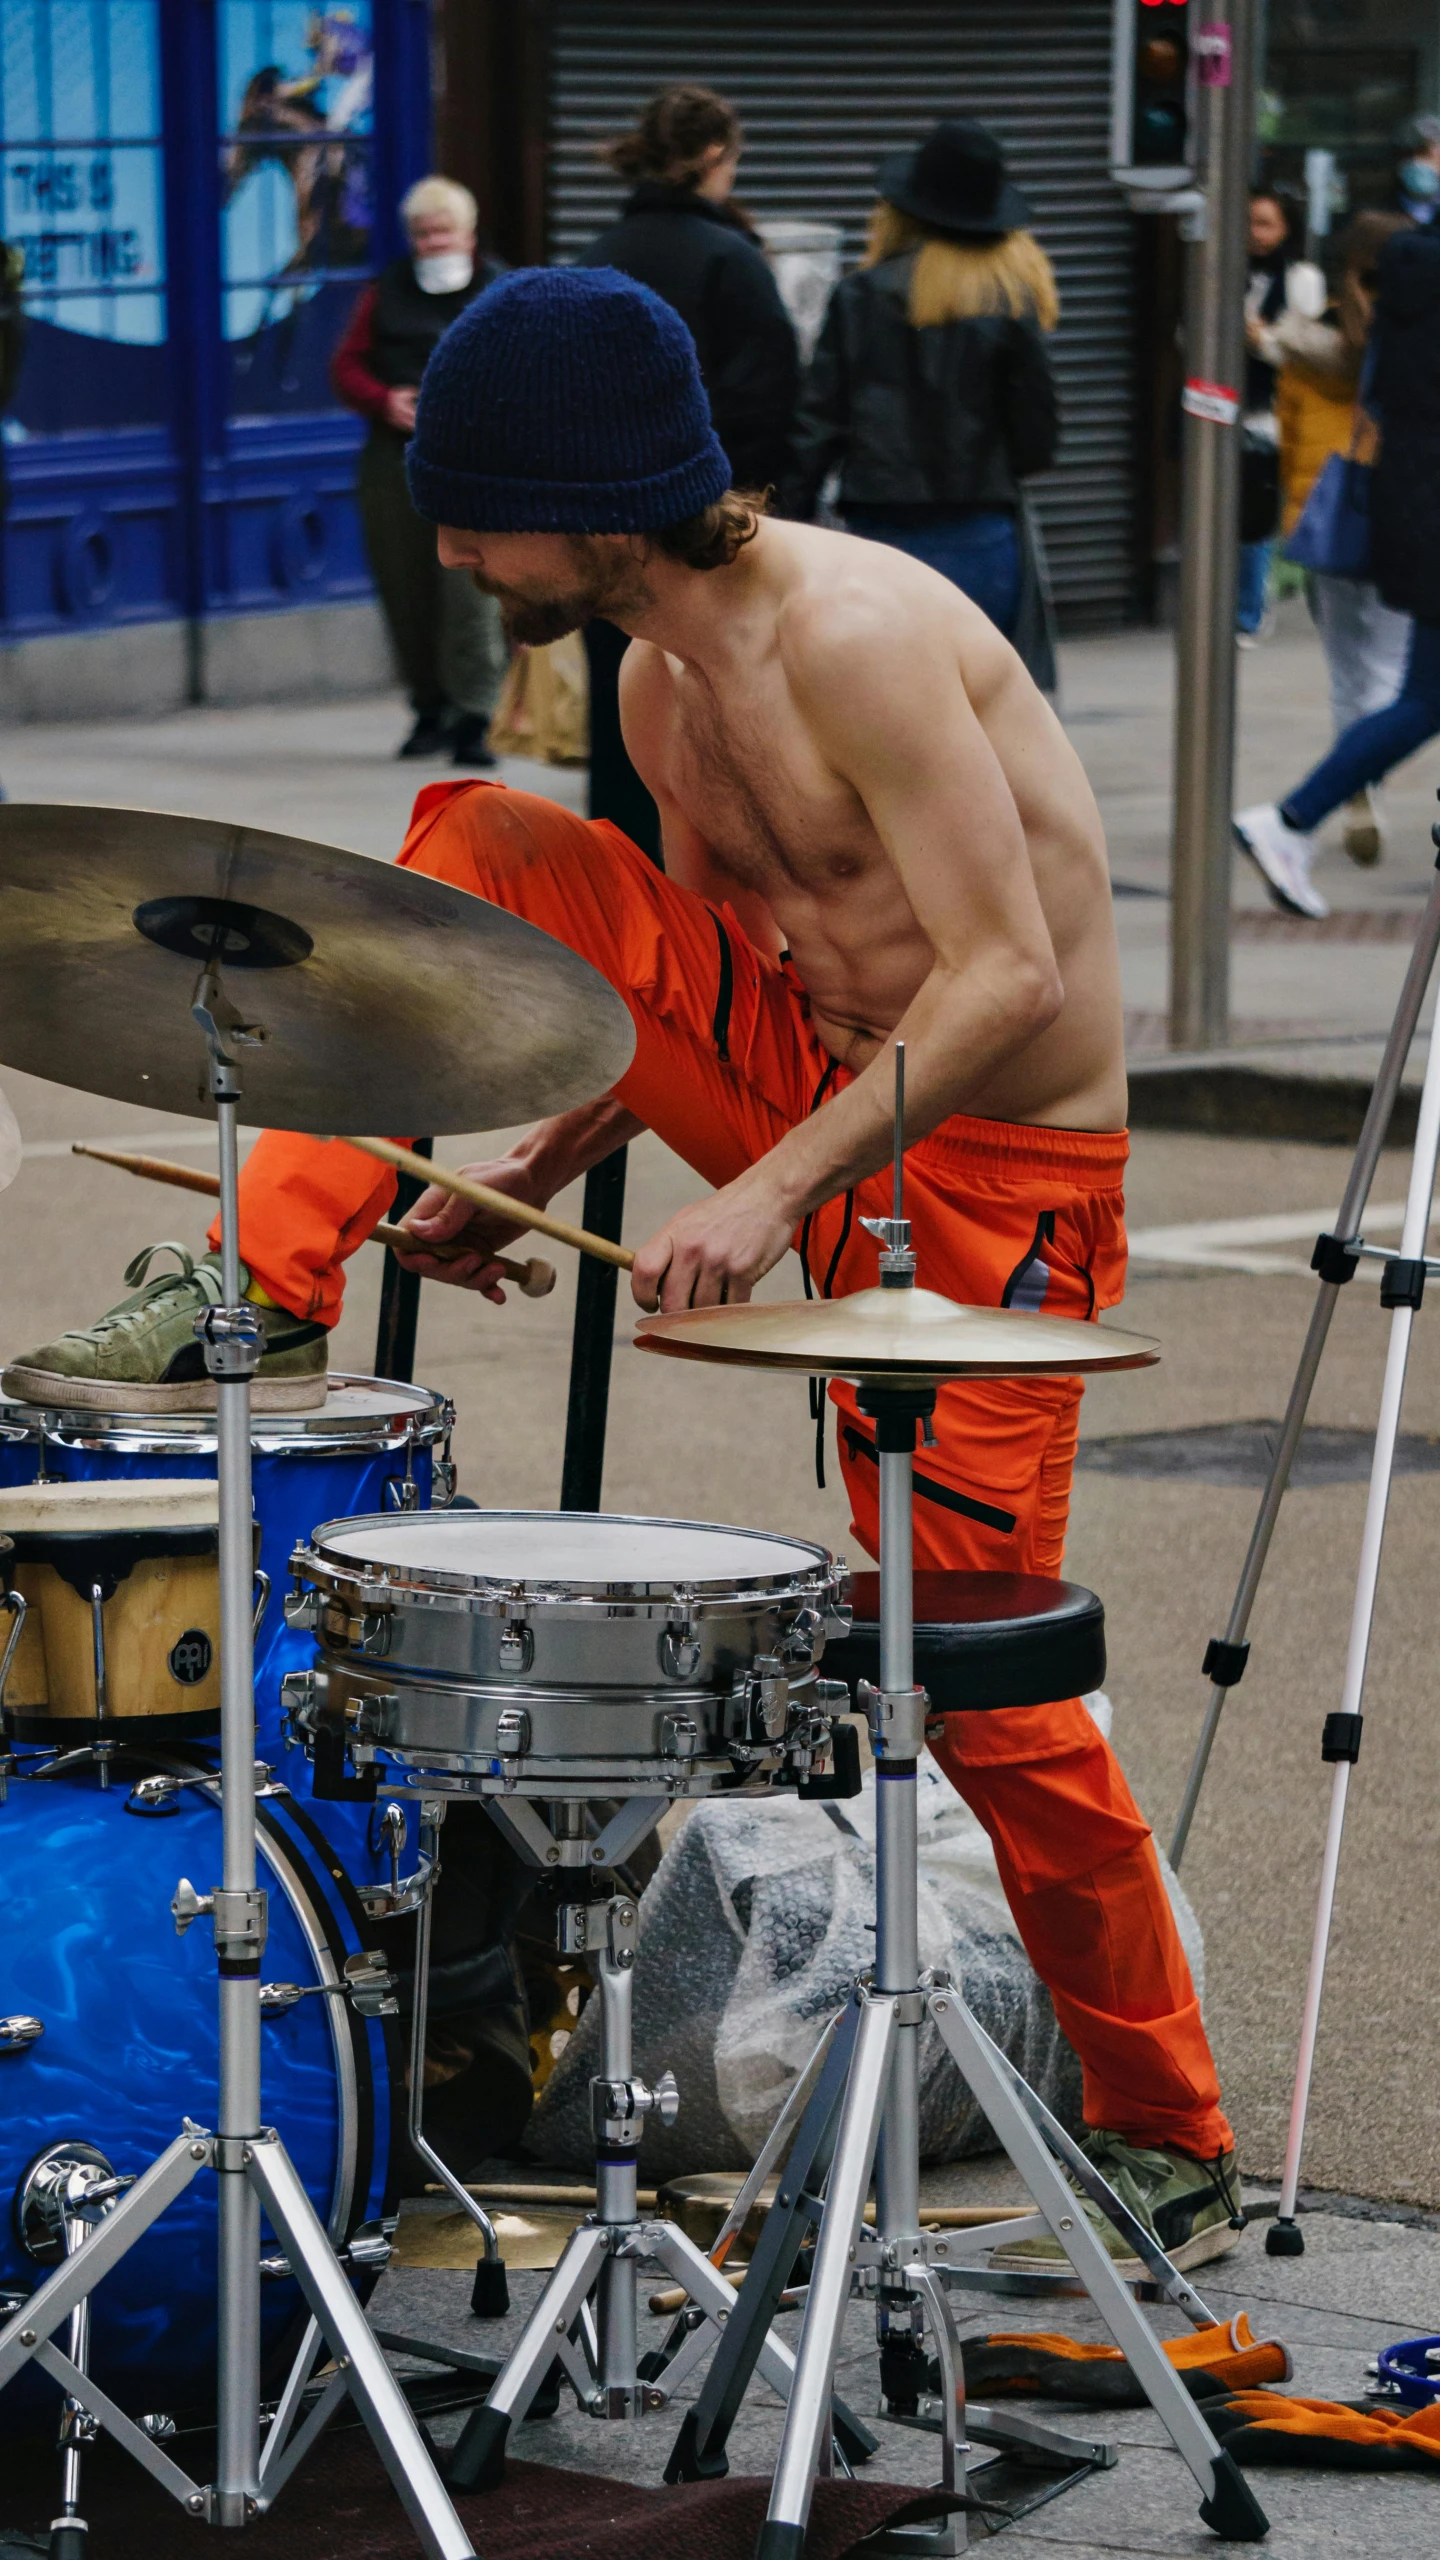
(568, 1655)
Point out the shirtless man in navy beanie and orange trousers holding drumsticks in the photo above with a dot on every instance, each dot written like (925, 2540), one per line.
(872, 828)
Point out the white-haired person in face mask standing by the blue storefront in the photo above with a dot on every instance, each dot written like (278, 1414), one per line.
(445, 634)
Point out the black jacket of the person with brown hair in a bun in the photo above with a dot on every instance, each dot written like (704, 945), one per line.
(703, 262)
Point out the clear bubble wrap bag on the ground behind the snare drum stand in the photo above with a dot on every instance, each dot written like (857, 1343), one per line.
(752, 1932)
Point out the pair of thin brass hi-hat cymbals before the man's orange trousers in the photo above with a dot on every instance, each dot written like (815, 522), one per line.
(893, 1332)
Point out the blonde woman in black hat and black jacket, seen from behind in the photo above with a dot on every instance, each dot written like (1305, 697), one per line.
(931, 390)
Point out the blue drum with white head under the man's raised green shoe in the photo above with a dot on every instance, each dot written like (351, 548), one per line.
(375, 1445)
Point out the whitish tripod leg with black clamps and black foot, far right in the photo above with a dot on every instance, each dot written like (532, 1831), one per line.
(1341, 1745)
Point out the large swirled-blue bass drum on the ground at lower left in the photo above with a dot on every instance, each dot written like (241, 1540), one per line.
(127, 2049)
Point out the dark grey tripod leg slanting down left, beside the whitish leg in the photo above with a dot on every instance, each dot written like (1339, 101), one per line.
(1226, 1655)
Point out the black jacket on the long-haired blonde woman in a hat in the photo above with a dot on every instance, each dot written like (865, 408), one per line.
(944, 416)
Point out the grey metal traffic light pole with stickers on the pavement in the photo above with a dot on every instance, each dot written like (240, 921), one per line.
(1211, 531)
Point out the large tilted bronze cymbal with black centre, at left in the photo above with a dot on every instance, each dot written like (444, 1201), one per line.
(388, 1000)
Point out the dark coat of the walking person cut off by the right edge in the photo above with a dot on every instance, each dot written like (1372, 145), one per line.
(1405, 398)
